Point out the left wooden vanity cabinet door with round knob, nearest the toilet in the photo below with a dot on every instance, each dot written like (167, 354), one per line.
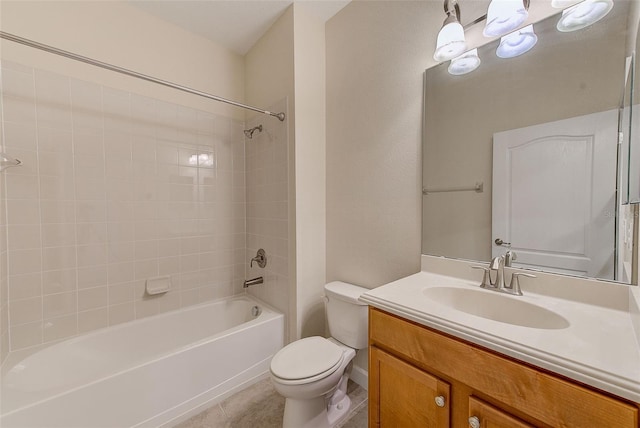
(401, 395)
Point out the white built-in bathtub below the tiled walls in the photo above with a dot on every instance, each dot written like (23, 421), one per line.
(150, 372)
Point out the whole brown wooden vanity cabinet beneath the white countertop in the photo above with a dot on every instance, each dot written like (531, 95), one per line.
(419, 377)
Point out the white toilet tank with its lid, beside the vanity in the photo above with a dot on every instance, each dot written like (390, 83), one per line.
(346, 315)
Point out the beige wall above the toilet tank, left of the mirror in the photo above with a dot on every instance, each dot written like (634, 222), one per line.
(376, 55)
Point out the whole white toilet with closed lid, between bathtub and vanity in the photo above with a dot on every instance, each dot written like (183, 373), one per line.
(312, 373)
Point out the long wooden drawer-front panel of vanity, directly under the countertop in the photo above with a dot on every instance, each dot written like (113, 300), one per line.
(543, 396)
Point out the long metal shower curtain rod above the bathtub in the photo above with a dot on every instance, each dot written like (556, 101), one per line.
(71, 55)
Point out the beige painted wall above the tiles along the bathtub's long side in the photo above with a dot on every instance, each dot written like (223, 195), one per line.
(125, 36)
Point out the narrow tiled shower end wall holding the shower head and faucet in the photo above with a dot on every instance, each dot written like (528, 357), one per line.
(267, 207)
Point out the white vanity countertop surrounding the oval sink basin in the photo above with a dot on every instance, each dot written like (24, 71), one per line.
(598, 348)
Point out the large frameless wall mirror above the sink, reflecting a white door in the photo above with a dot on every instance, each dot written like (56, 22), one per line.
(521, 154)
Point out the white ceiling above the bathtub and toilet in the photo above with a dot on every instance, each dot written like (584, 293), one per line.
(234, 24)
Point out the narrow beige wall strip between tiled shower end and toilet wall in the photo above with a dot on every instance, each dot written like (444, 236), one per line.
(310, 167)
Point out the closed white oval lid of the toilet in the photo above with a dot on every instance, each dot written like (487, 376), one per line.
(306, 358)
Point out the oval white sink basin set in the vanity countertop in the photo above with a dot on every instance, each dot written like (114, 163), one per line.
(497, 307)
